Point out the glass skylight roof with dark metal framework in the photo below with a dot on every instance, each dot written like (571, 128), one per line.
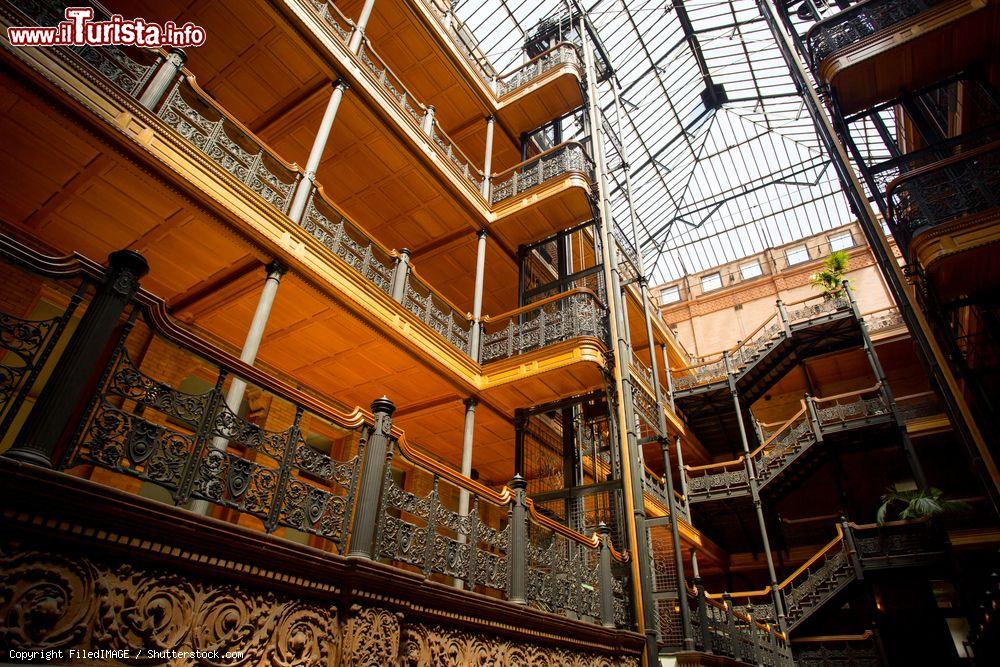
(725, 161)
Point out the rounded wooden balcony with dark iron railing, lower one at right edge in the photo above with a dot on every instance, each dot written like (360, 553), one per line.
(946, 217)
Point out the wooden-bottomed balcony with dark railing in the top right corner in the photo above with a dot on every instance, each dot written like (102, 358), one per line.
(877, 49)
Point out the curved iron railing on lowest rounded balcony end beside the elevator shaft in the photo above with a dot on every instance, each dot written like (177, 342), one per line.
(577, 313)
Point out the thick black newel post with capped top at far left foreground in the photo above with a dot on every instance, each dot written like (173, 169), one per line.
(63, 395)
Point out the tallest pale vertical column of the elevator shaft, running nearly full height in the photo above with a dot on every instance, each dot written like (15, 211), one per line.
(631, 458)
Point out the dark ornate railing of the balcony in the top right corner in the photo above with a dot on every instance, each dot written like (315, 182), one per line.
(857, 23)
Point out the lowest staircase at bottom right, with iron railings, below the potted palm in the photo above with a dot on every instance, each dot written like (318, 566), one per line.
(855, 551)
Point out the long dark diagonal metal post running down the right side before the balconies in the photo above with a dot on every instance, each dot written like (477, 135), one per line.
(930, 351)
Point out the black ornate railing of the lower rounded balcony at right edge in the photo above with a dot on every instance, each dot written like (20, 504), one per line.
(934, 195)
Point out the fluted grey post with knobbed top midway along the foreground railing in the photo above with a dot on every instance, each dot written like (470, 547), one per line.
(369, 492)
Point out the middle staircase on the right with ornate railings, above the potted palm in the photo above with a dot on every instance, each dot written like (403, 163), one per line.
(786, 442)
